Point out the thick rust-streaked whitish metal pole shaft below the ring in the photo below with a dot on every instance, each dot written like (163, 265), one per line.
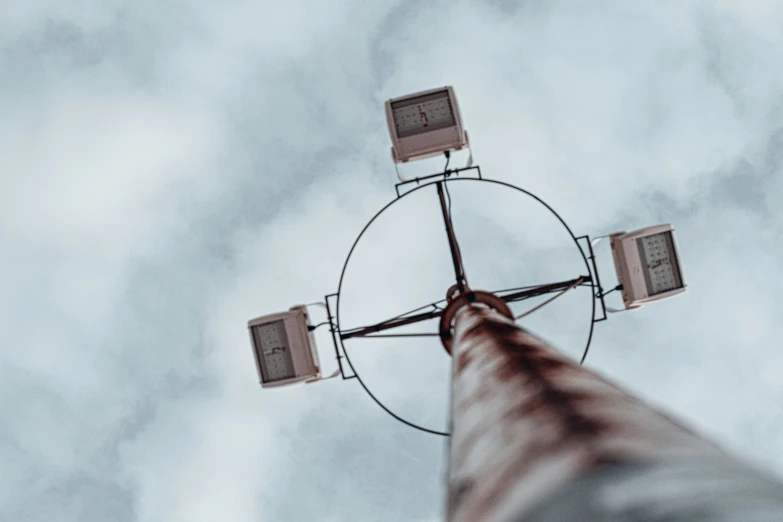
(536, 437)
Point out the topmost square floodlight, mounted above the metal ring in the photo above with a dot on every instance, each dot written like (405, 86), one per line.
(425, 124)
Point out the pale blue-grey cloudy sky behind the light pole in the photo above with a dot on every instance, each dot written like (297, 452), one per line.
(170, 170)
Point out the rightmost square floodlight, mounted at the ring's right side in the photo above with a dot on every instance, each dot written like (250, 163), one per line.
(648, 264)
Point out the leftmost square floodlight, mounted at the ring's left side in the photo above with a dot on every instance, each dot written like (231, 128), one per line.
(284, 348)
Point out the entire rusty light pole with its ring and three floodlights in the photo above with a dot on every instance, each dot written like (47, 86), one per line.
(534, 435)
